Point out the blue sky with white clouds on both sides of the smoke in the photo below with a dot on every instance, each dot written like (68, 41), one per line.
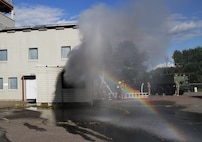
(183, 22)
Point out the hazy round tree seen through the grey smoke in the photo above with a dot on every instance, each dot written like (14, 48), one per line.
(128, 63)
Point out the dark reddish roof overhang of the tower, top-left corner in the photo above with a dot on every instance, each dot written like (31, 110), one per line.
(6, 6)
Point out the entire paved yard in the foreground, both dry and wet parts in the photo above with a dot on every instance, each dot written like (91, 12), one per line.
(153, 119)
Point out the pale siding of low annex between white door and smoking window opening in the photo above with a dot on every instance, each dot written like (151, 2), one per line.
(49, 84)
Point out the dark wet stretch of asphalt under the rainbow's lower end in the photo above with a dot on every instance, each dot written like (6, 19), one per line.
(153, 120)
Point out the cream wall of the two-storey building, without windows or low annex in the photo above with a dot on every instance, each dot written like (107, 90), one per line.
(18, 42)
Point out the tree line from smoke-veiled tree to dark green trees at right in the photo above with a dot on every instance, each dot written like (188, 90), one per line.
(128, 63)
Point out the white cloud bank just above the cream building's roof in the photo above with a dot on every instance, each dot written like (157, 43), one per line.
(30, 15)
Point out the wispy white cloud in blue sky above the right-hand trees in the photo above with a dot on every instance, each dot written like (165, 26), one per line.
(183, 28)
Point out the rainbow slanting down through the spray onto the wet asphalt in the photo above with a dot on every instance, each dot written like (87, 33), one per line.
(170, 129)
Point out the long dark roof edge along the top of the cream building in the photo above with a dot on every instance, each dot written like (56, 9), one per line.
(39, 27)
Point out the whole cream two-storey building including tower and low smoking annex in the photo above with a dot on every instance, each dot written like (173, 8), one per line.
(32, 59)
